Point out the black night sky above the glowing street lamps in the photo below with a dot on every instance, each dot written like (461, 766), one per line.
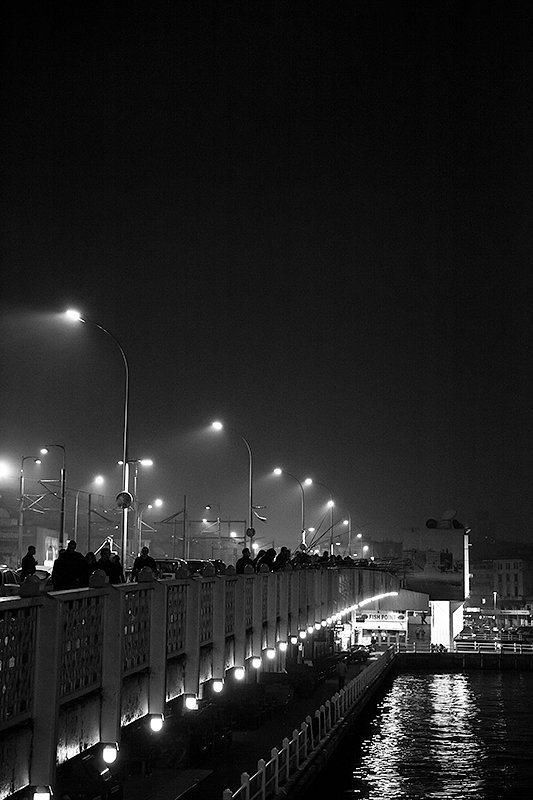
(312, 221)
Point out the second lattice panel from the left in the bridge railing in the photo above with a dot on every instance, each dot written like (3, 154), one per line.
(82, 635)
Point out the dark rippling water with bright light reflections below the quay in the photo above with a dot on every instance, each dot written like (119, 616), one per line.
(441, 736)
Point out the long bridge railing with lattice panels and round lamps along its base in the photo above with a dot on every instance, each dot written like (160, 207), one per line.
(78, 666)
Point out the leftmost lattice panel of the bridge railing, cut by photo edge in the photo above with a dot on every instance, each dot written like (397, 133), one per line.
(17, 648)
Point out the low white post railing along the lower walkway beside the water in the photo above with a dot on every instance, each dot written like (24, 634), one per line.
(296, 752)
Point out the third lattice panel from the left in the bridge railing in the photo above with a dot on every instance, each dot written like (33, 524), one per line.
(135, 629)
